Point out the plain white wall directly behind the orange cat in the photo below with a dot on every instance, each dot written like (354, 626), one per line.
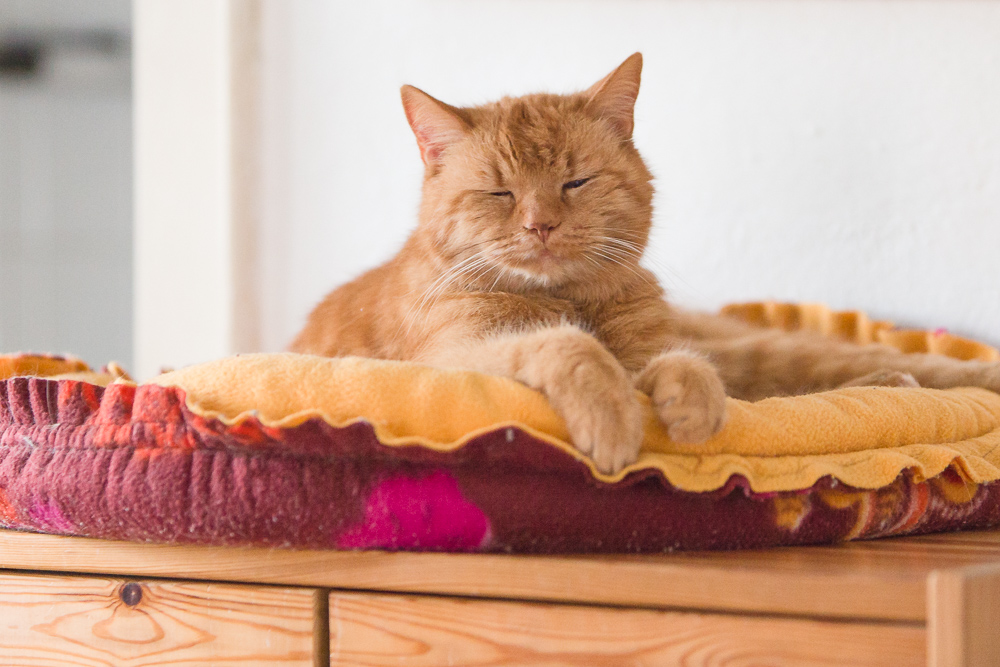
(846, 152)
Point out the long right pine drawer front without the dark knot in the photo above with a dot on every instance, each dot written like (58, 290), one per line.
(419, 631)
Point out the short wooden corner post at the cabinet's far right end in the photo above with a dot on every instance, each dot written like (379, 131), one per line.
(964, 617)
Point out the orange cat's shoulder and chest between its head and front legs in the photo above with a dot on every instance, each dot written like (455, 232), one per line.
(387, 313)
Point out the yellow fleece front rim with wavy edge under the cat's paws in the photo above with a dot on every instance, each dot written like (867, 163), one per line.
(863, 436)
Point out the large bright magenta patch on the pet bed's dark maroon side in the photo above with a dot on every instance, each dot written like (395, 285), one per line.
(427, 513)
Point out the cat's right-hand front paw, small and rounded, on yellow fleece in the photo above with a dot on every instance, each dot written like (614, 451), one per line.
(688, 395)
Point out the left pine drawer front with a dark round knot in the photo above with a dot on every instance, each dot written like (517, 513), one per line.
(49, 620)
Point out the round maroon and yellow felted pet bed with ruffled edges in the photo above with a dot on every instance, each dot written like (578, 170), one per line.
(301, 451)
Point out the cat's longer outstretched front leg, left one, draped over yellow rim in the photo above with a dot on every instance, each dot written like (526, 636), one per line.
(582, 380)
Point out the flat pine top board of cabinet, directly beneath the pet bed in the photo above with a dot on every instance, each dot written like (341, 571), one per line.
(880, 579)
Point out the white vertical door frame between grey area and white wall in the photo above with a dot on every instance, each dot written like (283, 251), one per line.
(196, 174)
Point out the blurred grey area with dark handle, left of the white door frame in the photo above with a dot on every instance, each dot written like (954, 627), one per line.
(66, 178)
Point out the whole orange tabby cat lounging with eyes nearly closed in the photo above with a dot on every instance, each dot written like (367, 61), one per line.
(525, 263)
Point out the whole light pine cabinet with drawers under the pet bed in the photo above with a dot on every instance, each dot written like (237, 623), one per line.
(932, 600)
